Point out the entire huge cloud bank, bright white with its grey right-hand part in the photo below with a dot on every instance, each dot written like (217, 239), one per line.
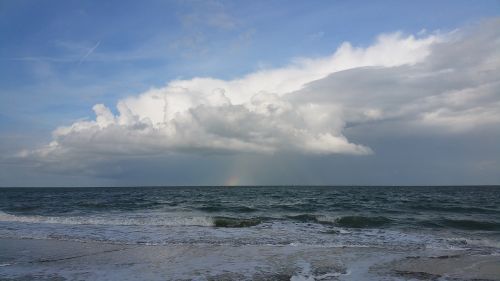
(442, 82)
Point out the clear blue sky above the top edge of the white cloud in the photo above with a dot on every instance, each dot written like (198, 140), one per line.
(60, 58)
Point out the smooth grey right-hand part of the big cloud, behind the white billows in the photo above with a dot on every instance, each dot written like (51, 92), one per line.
(454, 89)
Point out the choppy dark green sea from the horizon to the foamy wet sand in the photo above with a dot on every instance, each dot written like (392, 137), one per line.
(465, 217)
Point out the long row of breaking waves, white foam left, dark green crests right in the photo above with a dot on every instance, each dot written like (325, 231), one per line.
(169, 219)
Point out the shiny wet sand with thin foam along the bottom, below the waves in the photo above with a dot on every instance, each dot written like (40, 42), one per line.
(25, 259)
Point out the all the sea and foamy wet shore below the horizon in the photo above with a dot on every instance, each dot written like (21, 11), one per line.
(250, 233)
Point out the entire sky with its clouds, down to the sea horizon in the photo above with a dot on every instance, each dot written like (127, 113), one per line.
(121, 93)
